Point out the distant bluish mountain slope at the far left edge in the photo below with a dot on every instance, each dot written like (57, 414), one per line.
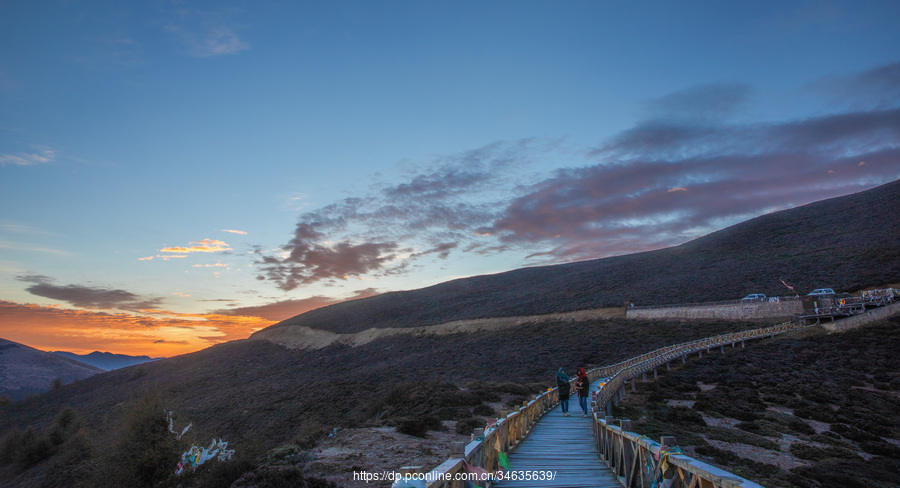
(25, 370)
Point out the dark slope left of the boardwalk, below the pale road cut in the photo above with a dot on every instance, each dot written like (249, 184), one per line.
(257, 395)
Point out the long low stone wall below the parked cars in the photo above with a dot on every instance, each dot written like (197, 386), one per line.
(738, 311)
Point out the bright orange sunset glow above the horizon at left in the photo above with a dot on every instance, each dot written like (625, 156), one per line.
(156, 334)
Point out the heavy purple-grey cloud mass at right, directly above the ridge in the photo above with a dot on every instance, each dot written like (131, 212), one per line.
(675, 182)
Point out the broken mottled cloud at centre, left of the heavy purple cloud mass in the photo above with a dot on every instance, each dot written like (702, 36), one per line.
(438, 207)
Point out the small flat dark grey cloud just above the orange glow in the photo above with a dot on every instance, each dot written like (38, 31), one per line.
(87, 296)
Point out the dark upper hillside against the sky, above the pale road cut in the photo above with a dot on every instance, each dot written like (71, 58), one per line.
(845, 243)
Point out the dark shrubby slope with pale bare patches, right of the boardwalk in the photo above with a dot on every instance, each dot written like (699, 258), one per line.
(812, 409)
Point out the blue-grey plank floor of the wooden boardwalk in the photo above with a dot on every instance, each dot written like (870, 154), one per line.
(564, 446)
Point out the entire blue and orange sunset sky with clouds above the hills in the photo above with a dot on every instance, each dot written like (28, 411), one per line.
(176, 174)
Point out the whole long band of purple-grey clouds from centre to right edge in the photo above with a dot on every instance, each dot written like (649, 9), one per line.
(699, 161)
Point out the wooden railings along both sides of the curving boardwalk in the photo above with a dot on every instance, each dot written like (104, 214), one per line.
(627, 453)
